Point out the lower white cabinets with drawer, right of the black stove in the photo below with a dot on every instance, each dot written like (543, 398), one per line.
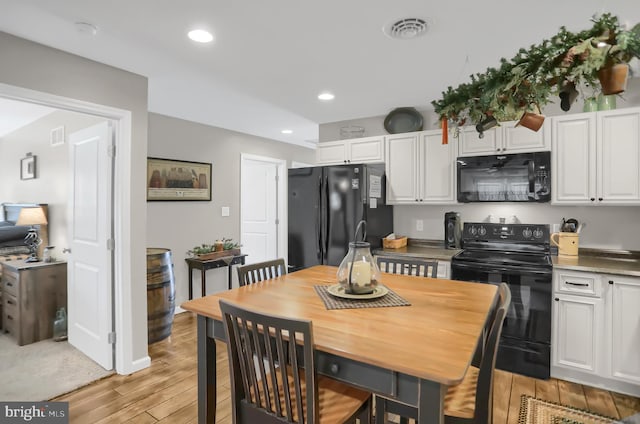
(596, 330)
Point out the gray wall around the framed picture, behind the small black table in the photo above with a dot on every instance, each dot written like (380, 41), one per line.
(180, 226)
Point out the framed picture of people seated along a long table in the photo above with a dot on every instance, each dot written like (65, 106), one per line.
(169, 179)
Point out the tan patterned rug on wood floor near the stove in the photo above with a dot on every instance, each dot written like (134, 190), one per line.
(536, 411)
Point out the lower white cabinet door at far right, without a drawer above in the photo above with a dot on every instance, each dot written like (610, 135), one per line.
(623, 326)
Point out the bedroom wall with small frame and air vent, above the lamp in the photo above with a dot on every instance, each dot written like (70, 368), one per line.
(52, 176)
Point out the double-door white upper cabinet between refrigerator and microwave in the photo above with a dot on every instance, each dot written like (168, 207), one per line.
(420, 169)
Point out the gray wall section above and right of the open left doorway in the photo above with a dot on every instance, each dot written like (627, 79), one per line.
(43, 69)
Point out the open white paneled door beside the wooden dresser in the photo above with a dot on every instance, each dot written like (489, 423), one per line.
(89, 284)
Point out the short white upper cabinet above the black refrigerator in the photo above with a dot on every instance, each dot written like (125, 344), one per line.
(357, 150)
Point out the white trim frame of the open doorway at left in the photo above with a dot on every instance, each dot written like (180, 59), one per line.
(122, 267)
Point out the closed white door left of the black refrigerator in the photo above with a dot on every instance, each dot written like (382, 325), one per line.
(260, 208)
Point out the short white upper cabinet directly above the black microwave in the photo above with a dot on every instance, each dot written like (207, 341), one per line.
(506, 138)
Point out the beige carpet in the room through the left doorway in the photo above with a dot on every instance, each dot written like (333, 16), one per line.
(43, 370)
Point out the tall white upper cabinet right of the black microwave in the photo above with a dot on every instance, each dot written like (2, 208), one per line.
(596, 158)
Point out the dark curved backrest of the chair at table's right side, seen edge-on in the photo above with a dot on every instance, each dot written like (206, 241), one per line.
(484, 390)
